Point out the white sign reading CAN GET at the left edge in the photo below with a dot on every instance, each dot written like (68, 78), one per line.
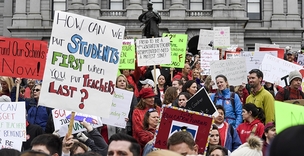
(12, 124)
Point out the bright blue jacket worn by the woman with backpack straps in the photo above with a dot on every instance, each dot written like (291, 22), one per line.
(233, 116)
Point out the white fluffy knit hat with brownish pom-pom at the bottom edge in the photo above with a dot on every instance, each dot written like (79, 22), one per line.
(253, 147)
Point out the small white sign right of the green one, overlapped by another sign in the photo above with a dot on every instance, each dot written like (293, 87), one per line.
(206, 37)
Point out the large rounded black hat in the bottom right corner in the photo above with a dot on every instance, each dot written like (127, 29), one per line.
(288, 142)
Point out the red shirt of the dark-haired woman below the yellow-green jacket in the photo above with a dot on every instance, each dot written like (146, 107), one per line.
(244, 129)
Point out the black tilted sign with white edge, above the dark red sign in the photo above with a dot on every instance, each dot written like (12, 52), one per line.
(201, 102)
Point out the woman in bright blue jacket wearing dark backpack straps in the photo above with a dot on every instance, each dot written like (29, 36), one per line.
(229, 100)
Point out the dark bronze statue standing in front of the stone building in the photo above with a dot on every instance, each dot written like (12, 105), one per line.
(150, 19)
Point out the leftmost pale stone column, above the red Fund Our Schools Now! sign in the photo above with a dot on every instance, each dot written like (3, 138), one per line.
(20, 17)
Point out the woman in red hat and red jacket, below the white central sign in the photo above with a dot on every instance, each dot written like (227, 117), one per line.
(146, 102)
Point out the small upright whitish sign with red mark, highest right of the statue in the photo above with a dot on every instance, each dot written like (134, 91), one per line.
(221, 37)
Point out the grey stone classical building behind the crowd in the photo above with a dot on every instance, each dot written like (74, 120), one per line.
(250, 21)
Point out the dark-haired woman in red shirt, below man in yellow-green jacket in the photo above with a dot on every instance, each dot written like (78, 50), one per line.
(254, 118)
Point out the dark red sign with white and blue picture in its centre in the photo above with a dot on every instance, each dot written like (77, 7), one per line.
(173, 119)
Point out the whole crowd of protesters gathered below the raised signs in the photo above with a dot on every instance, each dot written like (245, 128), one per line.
(245, 124)
